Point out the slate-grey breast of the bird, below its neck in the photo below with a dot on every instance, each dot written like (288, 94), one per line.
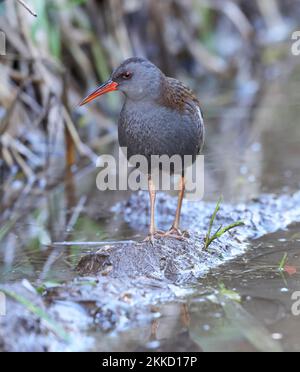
(148, 129)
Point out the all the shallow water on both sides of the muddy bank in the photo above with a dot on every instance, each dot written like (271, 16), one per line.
(249, 151)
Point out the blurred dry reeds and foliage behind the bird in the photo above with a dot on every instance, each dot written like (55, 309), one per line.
(220, 48)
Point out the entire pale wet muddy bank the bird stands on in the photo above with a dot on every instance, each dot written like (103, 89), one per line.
(119, 283)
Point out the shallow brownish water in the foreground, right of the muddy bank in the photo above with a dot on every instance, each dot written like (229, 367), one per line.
(265, 307)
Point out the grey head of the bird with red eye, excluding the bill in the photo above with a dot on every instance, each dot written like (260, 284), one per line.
(138, 79)
